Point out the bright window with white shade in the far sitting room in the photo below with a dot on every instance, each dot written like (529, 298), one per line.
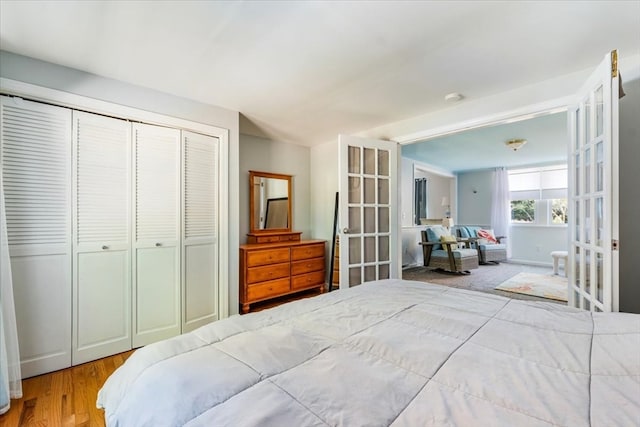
(539, 195)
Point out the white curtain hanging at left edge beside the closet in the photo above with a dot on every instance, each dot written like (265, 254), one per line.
(10, 376)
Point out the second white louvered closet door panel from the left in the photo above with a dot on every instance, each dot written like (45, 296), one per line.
(101, 236)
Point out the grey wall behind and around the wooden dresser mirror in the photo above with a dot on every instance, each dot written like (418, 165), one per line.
(264, 155)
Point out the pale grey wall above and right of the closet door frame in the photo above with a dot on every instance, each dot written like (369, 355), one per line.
(29, 70)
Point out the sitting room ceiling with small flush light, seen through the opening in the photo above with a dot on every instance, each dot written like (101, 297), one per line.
(484, 148)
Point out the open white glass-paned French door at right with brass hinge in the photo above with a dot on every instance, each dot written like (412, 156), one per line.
(593, 154)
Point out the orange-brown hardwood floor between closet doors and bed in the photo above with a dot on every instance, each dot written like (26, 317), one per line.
(63, 398)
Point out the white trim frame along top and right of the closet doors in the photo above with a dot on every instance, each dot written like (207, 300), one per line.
(65, 99)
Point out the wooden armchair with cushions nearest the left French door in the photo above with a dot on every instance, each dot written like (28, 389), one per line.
(440, 250)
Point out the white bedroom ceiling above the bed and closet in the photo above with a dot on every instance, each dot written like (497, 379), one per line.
(305, 71)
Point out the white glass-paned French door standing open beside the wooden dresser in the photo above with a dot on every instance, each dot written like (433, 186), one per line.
(368, 205)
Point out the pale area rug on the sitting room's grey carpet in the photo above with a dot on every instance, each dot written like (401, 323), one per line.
(539, 285)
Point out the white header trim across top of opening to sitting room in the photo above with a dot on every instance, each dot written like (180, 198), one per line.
(523, 113)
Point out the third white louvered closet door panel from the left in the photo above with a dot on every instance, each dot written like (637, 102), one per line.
(156, 255)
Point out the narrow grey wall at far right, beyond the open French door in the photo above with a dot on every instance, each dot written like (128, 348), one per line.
(629, 197)
